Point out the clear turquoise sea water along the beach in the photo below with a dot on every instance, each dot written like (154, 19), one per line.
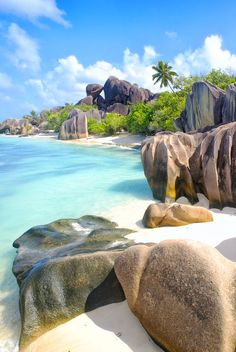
(44, 180)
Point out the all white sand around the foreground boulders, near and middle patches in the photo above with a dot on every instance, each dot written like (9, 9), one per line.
(114, 327)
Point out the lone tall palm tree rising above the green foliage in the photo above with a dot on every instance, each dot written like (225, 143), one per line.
(163, 74)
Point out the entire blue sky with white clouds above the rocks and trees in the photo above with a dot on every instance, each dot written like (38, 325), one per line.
(51, 49)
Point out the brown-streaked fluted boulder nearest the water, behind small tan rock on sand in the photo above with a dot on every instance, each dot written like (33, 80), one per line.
(165, 159)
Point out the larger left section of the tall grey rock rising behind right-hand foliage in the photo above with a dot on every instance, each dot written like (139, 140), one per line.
(203, 107)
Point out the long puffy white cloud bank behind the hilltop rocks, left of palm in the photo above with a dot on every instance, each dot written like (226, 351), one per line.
(68, 80)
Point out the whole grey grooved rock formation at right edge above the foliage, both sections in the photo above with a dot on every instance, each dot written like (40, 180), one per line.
(207, 105)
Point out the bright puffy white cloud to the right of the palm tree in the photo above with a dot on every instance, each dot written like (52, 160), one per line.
(210, 55)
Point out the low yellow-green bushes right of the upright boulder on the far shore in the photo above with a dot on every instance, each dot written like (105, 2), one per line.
(110, 125)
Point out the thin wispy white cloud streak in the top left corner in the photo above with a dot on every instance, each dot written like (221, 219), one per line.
(34, 9)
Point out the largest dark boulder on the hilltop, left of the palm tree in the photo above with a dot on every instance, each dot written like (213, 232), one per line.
(120, 91)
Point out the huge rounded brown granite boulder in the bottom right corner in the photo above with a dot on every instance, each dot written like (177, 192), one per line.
(183, 293)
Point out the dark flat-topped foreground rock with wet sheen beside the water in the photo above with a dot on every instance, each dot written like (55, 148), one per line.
(64, 269)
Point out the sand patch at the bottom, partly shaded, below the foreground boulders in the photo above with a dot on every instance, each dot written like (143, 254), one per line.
(112, 328)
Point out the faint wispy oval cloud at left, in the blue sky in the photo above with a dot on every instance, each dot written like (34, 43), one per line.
(25, 54)
